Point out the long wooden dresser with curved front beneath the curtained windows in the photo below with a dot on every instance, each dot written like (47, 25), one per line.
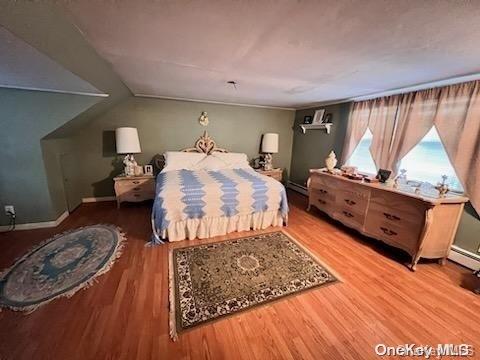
(423, 226)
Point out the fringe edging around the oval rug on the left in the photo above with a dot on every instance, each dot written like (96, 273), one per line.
(90, 282)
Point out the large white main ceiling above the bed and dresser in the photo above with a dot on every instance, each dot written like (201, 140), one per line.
(281, 52)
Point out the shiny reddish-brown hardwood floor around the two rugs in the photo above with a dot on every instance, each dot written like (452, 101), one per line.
(125, 315)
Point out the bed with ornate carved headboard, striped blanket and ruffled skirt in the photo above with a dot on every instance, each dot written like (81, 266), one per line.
(205, 191)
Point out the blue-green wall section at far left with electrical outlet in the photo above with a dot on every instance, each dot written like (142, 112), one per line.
(26, 117)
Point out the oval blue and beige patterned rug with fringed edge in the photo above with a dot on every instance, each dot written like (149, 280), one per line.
(60, 266)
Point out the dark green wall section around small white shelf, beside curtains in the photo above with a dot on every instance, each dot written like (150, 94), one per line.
(310, 149)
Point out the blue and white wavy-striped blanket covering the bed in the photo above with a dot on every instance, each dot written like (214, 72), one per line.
(195, 194)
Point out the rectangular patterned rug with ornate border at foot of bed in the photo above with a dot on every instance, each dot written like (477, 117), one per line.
(214, 280)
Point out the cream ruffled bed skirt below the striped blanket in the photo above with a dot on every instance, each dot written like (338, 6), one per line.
(209, 227)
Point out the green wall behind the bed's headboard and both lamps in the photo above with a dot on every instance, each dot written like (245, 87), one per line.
(173, 125)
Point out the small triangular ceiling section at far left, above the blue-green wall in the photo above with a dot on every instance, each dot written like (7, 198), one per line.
(24, 67)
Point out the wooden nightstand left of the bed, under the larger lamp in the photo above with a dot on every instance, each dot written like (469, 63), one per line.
(134, 188)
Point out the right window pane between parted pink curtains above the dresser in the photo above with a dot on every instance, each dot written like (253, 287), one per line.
(428, 161)
